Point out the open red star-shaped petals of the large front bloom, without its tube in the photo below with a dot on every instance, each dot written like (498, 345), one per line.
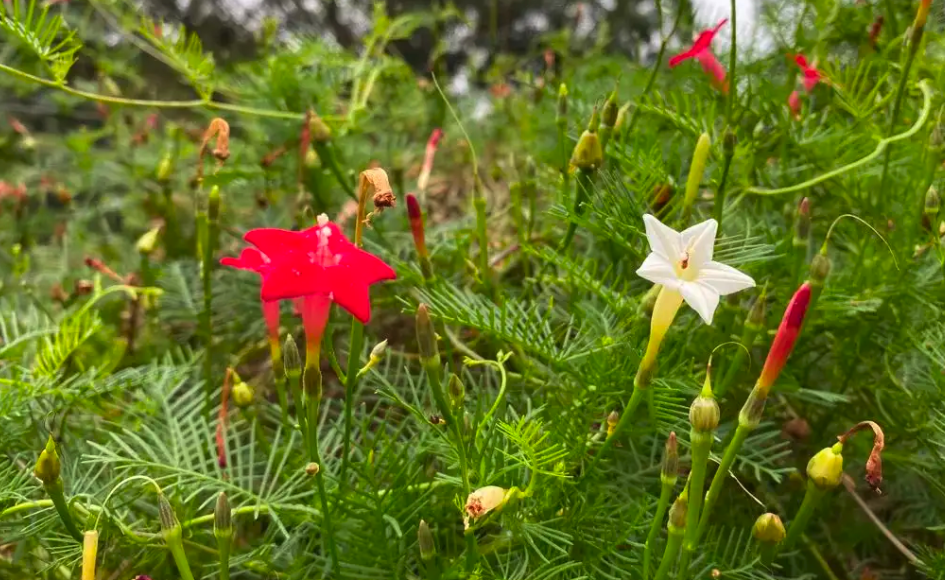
(317, 261)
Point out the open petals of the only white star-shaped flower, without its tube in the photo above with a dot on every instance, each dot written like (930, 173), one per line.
(682, 261)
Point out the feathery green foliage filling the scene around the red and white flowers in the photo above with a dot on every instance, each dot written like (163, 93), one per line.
(102, 344)
